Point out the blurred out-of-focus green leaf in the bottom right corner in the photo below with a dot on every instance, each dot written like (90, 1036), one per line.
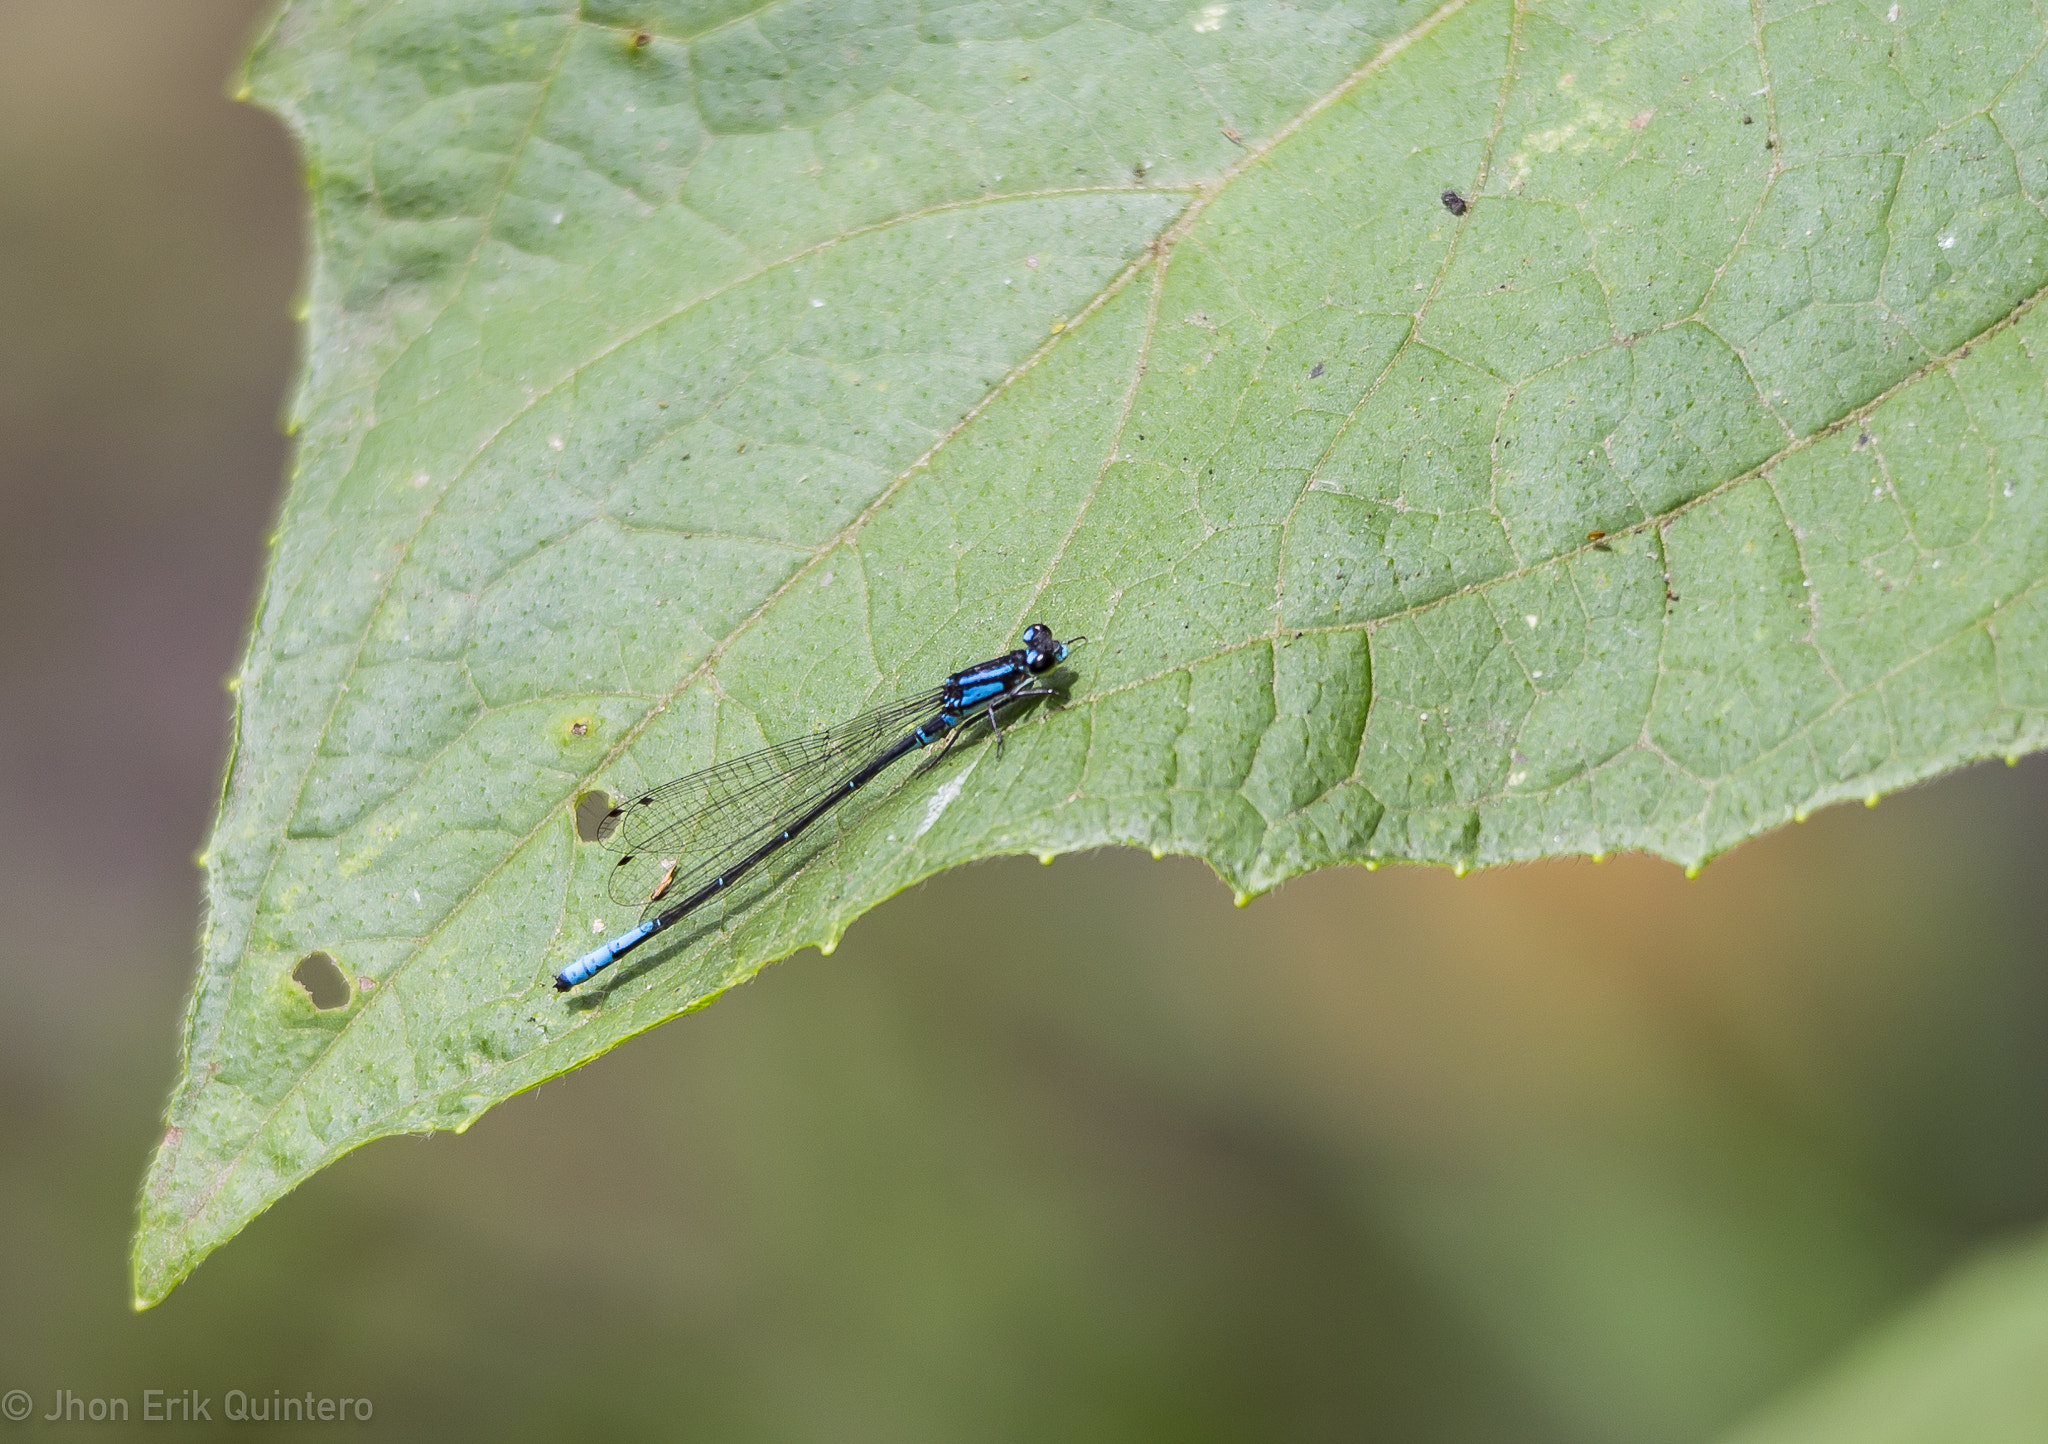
(1961, 1365)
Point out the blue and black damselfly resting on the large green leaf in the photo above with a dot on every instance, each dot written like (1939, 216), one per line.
(689, 841)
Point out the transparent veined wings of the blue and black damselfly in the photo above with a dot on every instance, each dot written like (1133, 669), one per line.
(681, 833)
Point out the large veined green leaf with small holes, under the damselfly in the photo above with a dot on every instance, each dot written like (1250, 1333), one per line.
(685, 378)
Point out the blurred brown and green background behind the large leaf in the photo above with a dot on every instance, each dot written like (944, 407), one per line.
(1562, 1152)
